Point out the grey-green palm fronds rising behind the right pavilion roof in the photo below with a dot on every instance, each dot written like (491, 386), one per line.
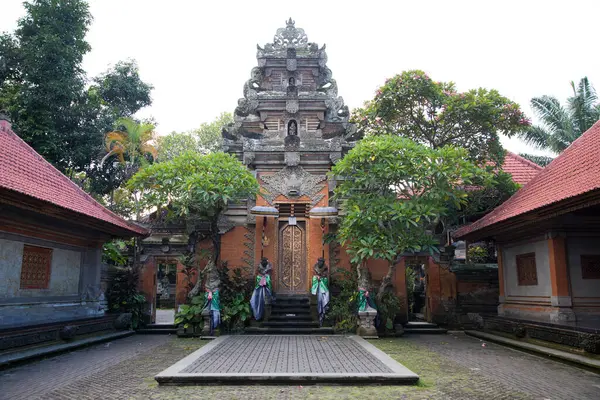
(560, 126)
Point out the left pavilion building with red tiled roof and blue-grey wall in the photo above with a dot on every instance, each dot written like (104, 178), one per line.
(51, 237)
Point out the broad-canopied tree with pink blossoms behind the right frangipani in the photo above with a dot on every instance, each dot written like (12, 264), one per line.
(433, 113)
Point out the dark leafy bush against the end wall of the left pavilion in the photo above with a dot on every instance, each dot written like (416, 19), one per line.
(123, 295)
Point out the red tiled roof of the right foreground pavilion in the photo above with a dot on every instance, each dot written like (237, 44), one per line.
(575, 172)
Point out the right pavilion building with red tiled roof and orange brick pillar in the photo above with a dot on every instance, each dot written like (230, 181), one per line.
(547, 238)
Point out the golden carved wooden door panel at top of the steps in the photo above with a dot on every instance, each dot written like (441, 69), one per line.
(292, 256)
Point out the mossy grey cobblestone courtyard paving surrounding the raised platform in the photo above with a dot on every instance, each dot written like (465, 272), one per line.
(451, 367)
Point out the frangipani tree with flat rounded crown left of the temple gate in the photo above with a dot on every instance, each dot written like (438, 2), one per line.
(195, 186)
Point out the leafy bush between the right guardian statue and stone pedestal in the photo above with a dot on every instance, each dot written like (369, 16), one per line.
(343, 305)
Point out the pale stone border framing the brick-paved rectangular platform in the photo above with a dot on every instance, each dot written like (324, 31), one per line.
(398, 375)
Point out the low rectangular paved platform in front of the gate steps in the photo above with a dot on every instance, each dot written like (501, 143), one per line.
(283, 359)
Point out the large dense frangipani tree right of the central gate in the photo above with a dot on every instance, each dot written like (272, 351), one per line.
(393, 190)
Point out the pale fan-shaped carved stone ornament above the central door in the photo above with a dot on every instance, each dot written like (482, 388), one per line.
(293, 181)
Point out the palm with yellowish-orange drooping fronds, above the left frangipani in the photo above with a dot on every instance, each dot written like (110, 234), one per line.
(131, 143)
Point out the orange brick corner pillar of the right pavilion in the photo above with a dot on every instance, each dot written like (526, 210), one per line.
(559, 279)
